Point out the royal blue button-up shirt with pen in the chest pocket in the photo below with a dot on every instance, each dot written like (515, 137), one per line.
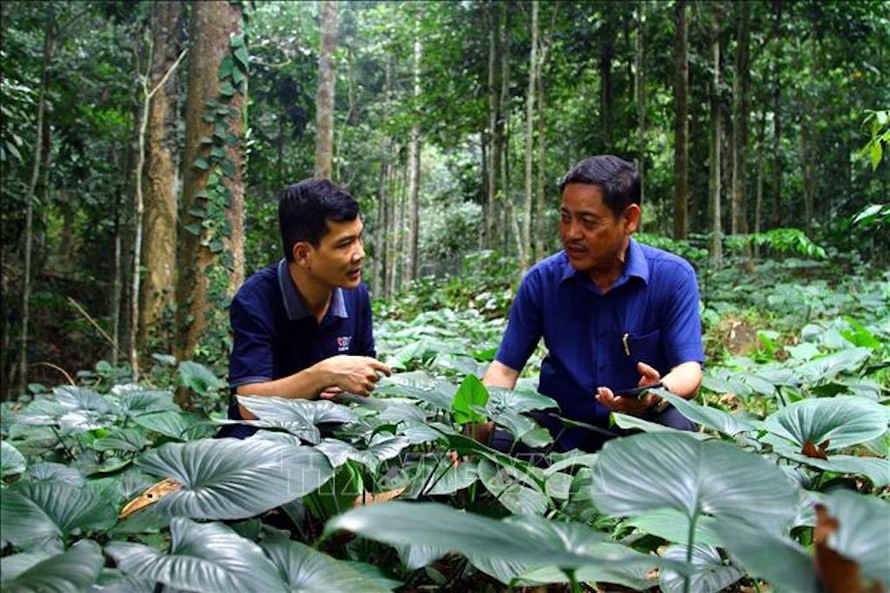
(593, 339)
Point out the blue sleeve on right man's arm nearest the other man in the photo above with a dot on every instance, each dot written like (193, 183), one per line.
(525, 325)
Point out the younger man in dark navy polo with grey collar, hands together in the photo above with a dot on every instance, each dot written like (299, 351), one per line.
(302, 327)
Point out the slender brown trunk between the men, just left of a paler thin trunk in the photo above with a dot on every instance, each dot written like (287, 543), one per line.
(495, 126)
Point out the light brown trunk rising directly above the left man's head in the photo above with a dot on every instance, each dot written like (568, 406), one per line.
(324, 102)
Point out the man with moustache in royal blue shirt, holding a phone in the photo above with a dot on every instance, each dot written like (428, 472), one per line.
(614, 314)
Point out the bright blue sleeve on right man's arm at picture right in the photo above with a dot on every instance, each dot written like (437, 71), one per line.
(682, 325)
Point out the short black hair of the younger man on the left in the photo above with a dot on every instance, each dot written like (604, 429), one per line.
(305, 208)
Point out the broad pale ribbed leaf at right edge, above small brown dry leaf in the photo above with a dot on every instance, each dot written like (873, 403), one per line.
(843, 421)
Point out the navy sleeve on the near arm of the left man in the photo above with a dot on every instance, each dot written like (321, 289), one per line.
(252, 358)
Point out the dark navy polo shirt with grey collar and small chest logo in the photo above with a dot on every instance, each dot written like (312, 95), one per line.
(276, 336)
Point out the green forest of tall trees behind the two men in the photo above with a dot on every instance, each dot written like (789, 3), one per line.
(143, 143)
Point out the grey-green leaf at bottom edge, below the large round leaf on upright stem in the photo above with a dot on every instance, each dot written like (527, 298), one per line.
(768, 555)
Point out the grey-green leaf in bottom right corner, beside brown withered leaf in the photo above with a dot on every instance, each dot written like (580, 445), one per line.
(863, 533)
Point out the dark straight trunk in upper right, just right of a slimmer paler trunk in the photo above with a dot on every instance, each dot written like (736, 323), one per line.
(741, 113)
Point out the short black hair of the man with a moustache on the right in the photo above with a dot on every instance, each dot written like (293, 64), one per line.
(618, 179)
